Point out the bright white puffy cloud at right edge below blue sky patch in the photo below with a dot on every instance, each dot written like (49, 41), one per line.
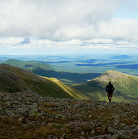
(119, 28)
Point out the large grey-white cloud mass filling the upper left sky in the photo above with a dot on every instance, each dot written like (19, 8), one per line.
(52, 19)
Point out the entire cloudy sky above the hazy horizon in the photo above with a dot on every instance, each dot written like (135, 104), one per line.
(68, 26)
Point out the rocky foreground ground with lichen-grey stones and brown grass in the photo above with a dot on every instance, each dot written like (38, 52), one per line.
(31, 116)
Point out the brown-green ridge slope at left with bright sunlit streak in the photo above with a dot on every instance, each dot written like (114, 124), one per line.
(13, 79)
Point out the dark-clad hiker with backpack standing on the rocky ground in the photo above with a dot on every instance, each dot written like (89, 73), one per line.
(109, 90)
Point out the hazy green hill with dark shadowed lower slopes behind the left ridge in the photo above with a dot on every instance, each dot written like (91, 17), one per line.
(44, 69)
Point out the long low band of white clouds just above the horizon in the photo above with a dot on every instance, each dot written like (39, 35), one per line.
(74, 44)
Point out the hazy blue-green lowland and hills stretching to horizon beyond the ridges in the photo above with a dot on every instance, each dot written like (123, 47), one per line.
(73, 69)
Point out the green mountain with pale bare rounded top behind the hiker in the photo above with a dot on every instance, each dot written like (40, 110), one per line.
(126, 87)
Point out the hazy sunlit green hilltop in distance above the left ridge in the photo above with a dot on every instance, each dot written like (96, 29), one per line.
(28, 65)
